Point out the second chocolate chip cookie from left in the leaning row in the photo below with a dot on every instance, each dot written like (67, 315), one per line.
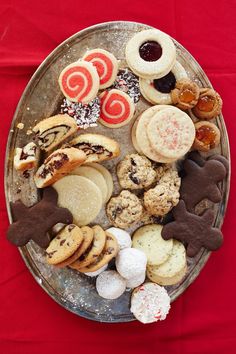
(88, 238)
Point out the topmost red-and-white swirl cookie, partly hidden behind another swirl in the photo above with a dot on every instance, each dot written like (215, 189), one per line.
(106, 65)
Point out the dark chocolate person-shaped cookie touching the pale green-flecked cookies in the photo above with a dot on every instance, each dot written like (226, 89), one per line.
(194, 230)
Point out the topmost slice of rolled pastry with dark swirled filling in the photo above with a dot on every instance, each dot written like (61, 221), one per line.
(52, 131)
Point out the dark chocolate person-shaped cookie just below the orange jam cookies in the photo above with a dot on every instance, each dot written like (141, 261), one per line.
(200, 182)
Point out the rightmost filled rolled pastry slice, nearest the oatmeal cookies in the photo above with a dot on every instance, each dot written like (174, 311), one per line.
(96, 147)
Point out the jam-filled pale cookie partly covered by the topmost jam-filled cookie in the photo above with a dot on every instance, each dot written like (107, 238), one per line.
(158, 91)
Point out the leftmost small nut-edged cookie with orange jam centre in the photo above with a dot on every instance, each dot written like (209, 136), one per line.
(186, 94)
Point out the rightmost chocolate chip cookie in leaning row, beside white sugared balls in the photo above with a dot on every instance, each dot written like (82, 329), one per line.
(109, 251)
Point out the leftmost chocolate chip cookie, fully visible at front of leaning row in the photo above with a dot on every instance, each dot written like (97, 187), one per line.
(64, 244)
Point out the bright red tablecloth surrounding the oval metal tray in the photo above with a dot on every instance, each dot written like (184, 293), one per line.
(202, 320)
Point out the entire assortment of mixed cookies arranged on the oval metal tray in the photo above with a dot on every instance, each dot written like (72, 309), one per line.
(154, 221)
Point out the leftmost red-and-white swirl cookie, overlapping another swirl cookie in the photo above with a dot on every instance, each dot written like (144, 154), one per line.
(79, 81)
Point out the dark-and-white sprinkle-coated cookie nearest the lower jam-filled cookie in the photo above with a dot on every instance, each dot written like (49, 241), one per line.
(127, 82)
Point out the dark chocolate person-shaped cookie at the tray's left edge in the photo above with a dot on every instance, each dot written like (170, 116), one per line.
(33, 223)
